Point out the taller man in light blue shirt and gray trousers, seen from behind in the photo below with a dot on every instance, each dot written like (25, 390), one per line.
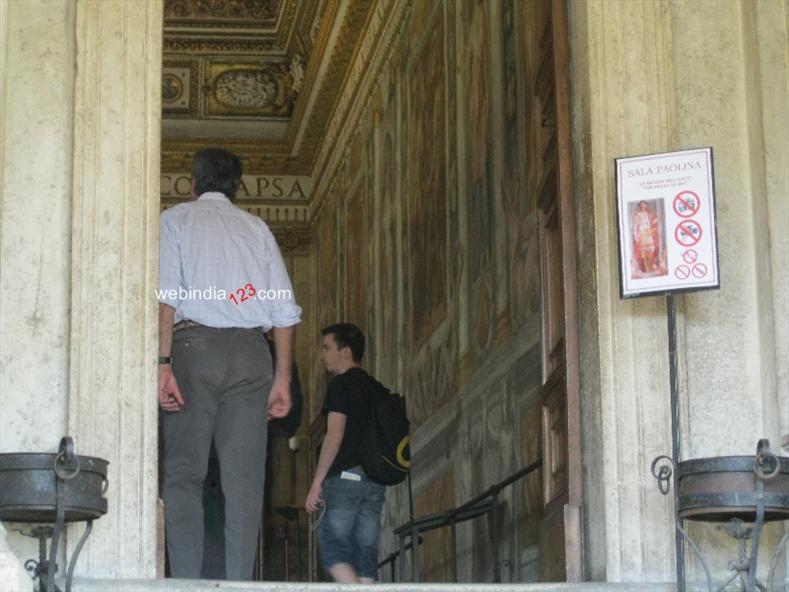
(222, 286)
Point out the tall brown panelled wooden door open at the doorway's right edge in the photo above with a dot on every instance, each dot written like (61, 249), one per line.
(551, 174)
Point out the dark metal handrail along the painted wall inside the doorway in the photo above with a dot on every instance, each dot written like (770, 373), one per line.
(474, 508)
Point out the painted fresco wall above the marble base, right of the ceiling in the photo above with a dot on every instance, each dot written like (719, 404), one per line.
(451, 225)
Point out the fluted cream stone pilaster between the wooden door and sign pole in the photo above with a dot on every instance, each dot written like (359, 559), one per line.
(623, 105)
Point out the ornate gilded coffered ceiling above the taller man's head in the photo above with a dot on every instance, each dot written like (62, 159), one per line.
(260, 77)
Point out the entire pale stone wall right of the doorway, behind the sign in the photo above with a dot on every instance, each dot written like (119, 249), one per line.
(652, 77)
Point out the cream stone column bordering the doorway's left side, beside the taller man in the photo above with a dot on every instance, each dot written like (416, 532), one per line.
(112, 409)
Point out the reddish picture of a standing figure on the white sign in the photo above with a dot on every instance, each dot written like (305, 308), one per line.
(648, 233)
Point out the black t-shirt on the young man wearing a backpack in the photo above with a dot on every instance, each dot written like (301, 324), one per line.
(348, 394)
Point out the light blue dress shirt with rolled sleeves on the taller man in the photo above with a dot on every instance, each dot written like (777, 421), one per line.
(220, 266)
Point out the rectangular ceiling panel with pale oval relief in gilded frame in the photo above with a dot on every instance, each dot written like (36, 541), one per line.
(243, 90)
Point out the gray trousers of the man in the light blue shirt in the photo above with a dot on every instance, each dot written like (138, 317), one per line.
(224, 376)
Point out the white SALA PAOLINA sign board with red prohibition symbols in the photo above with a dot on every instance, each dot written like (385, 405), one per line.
(666, 217)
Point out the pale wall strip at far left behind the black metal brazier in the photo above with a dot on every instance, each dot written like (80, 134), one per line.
(37, 53)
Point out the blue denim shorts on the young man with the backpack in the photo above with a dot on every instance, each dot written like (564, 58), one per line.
(348, 532)
